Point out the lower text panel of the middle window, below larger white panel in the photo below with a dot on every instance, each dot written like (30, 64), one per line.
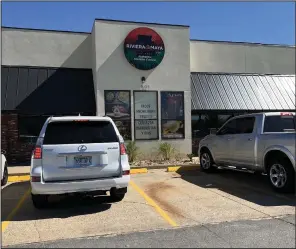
(146, 129)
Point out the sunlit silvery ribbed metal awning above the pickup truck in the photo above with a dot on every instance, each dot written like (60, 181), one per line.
(242, 92)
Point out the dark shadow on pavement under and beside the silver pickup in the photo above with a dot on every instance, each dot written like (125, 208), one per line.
(250, 187)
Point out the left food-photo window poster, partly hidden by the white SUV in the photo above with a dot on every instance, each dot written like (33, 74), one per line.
(118, 107)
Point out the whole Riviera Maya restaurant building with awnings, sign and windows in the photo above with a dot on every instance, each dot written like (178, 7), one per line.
(156, 83)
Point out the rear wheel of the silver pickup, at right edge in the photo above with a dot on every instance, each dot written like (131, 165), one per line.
(281, 175)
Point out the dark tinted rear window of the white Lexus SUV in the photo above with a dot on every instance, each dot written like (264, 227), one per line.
(80, 132)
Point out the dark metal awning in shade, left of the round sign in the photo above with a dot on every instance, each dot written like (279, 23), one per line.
(38, 90)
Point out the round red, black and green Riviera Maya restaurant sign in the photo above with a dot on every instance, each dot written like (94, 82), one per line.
(144, 48)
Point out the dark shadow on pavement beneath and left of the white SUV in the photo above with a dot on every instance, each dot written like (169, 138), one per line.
(58, 207)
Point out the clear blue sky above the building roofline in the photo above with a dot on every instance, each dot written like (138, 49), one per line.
(262, 22)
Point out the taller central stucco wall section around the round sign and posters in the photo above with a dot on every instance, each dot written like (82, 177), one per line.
(113, 72)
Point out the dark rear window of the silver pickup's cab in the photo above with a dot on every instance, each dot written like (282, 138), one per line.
(279, 123)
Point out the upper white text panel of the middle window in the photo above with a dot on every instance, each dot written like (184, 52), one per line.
(145, 105)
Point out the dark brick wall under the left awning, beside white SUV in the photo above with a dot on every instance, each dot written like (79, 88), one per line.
(17, 152)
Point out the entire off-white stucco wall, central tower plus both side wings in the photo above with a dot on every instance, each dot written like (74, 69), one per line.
(102, 51)
